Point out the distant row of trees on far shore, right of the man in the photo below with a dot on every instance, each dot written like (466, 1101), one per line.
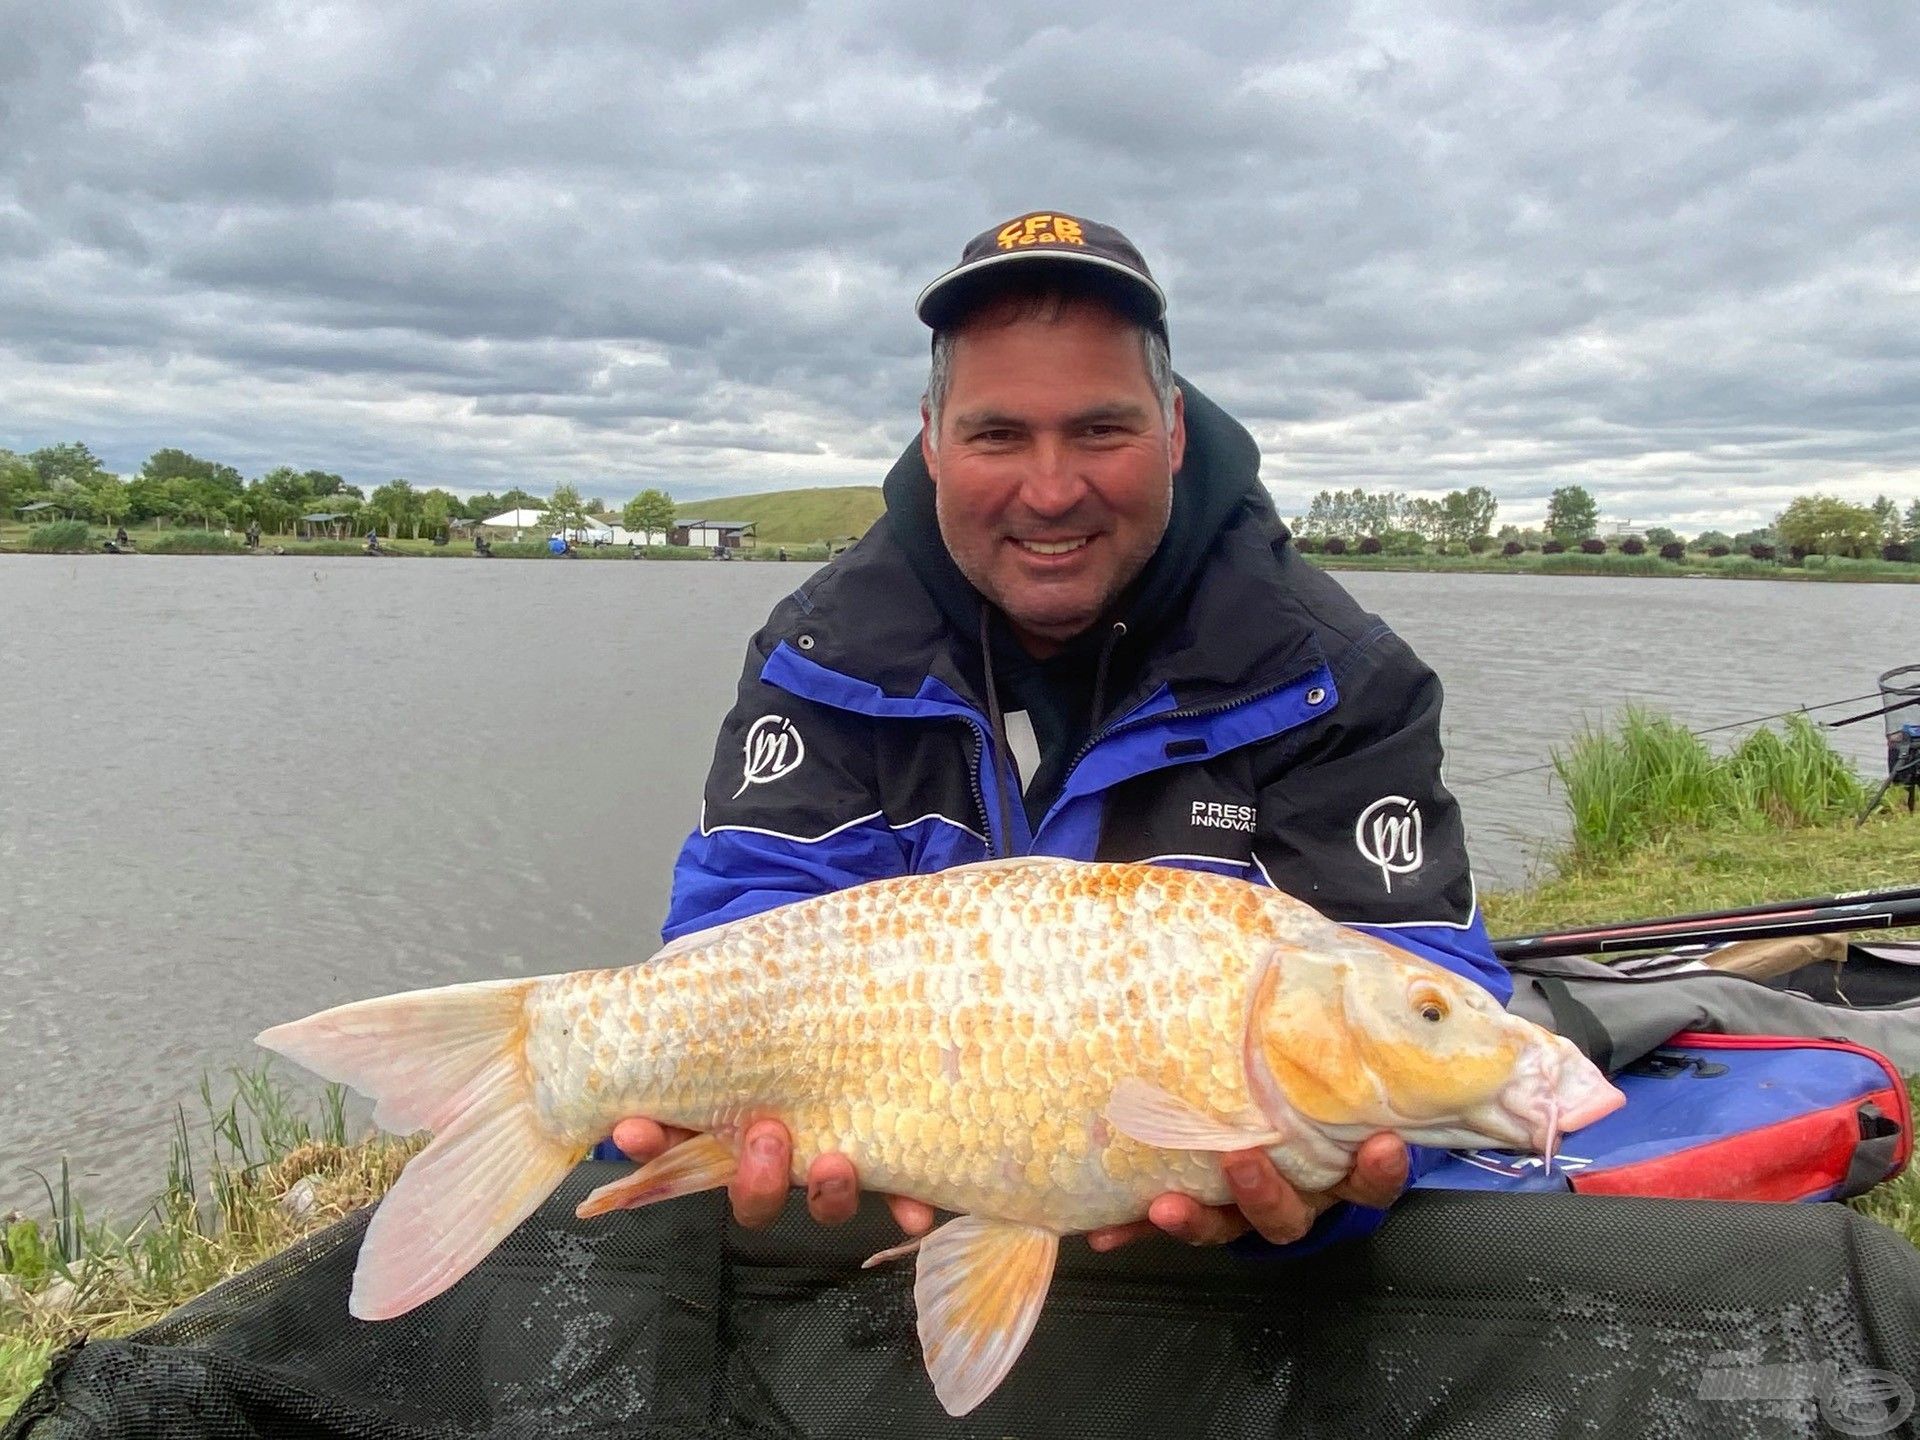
(1464, 519)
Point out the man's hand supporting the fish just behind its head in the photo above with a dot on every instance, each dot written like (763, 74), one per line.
(1266, 1203)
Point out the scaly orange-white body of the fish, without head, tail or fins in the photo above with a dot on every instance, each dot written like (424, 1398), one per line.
(955, 1038)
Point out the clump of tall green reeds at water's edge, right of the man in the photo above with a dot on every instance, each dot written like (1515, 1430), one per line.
(1650, 777)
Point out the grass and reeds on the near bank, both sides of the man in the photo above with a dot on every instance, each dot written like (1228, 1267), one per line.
(1660, 827)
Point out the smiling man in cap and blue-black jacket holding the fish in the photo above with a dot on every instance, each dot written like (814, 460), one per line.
(1080, 631)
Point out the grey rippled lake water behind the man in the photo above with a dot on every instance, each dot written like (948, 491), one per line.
(241, 790)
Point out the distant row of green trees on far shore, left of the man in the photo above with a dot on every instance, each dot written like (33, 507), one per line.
(180, 489)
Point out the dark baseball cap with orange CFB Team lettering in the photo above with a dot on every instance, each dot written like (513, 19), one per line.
(1040, 239)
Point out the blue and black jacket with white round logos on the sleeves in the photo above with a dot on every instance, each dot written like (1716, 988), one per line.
(1262, 727)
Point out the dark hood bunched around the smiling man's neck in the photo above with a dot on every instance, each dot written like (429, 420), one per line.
(1218, 479)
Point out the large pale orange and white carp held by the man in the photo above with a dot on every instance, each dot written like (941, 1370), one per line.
(1036, 1045)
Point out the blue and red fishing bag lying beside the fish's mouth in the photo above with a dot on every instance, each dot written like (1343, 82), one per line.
(1723, 1118)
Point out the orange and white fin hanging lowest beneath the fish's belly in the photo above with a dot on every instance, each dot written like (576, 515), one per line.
(980, 1287)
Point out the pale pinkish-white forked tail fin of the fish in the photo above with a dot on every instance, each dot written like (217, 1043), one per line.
(450, 1061)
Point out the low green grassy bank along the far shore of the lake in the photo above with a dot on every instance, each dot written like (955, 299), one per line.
(84, 539)
